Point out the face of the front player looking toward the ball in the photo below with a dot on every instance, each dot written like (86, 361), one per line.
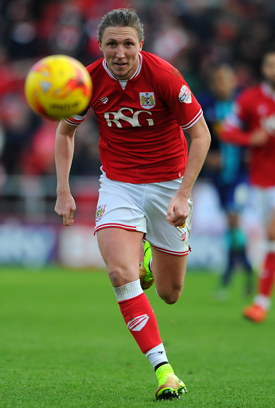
(120, 47)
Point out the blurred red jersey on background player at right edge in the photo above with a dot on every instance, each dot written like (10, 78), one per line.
(255, 108)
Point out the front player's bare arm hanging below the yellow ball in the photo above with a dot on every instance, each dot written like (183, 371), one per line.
(64, 149)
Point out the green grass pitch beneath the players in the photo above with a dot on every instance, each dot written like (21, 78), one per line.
(64, 344)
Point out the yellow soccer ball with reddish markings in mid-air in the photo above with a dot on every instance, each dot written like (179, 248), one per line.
(58, 87)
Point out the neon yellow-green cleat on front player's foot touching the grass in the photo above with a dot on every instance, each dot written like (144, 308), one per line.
(170, 386)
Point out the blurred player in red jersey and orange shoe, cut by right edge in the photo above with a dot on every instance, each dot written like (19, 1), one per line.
(252, 123)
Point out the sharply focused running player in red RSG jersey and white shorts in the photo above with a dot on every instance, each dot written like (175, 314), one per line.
(142, 105)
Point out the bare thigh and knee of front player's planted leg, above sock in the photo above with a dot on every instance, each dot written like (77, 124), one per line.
(120, 250)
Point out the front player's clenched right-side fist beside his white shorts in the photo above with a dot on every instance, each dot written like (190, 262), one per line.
(178, 211)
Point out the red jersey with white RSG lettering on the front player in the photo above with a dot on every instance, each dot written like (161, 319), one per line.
(140, 124)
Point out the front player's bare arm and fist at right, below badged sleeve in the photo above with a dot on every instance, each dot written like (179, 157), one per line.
(178, 209)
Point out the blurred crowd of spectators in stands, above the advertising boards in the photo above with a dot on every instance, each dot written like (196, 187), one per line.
(191, 34)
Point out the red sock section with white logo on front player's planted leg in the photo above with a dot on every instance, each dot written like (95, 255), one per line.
(141, 321)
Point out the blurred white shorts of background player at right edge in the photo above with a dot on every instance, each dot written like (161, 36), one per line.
(265, 202)
